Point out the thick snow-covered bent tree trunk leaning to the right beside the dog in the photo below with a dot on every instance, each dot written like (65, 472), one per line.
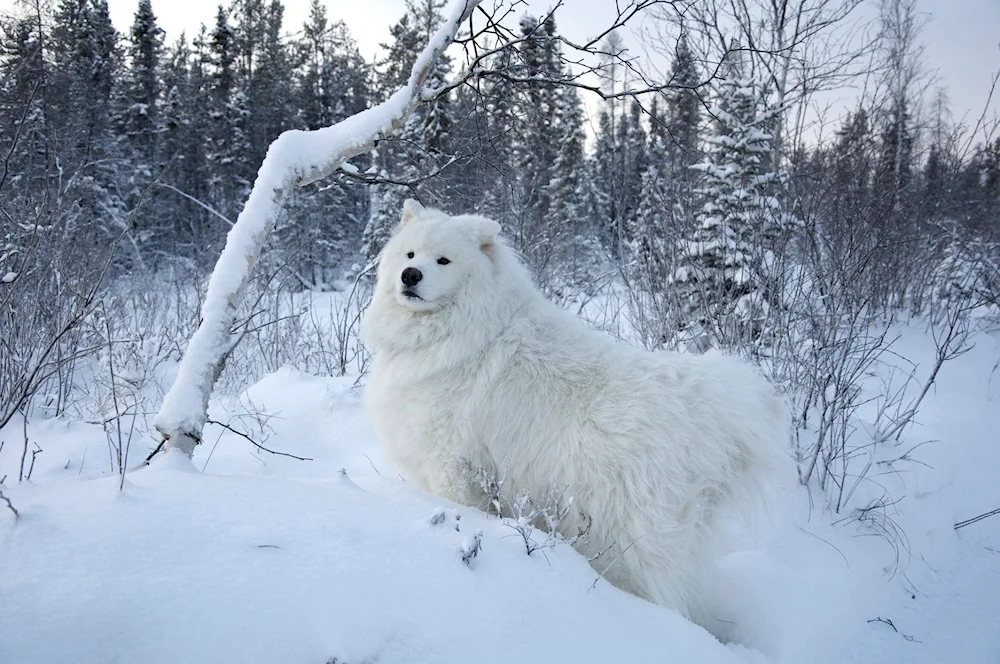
(294, 159)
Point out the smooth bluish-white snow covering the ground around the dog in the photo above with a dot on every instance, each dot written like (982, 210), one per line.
(245, 556)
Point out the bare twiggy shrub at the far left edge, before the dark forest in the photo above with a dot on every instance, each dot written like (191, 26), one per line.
(50, 286)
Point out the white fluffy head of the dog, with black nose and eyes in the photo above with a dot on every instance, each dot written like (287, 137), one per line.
(432, 257)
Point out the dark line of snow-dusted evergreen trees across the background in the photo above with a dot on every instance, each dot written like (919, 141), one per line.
(111, 131)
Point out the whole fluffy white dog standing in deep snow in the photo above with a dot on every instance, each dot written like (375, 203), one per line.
(475, 369)
